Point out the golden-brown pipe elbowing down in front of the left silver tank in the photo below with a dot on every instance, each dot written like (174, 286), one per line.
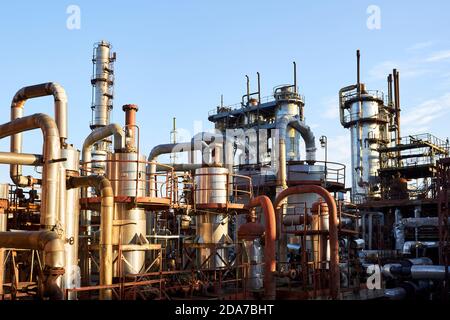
(103, 187)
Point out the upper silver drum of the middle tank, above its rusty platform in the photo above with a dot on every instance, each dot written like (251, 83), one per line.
(211, 185)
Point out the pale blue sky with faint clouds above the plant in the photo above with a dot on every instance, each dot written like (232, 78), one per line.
(175, 58)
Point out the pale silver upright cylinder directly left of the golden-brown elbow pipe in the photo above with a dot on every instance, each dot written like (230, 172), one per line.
(72, 276)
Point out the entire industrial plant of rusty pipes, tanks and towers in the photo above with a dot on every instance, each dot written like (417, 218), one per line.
(250, 215)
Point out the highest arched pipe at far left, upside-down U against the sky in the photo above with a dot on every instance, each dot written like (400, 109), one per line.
(17, 104)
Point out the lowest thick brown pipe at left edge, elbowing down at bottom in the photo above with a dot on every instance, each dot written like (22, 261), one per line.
(53, 250)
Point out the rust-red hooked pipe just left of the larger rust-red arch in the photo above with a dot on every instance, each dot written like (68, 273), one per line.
(269, 246)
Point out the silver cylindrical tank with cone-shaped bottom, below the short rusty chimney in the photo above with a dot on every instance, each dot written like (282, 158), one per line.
(126, 171)
